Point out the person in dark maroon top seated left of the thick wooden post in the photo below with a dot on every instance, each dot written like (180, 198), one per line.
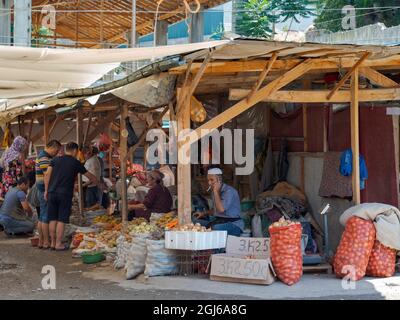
(157, 200)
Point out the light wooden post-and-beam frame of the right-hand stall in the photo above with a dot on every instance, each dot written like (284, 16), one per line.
(270, 78)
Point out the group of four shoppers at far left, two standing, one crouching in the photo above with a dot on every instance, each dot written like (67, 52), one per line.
(55, 180)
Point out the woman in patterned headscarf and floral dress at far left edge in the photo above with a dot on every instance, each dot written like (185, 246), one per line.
(11, 162)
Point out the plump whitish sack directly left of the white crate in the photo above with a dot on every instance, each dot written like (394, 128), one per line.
(160, 261)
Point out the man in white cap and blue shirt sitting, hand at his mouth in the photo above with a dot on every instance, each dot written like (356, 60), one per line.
(226, 206)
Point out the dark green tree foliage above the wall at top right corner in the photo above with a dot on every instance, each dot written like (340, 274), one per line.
(330, 16)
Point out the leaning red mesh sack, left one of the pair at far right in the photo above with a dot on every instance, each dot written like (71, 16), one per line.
(354, 249)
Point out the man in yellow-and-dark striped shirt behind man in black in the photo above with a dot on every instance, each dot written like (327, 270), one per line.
(42, 162)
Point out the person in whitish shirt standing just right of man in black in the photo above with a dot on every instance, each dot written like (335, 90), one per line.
(93, 166)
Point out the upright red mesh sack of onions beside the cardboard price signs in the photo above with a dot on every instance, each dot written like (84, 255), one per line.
(286, 253)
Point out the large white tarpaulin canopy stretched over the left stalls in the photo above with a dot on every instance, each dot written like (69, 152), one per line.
(28, 75)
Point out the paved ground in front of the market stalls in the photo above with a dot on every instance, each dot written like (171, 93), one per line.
(21, 266)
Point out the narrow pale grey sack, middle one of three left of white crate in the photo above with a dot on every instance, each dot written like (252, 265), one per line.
(136, 258)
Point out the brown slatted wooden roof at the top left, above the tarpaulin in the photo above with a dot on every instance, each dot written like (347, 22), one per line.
(97, 24)
